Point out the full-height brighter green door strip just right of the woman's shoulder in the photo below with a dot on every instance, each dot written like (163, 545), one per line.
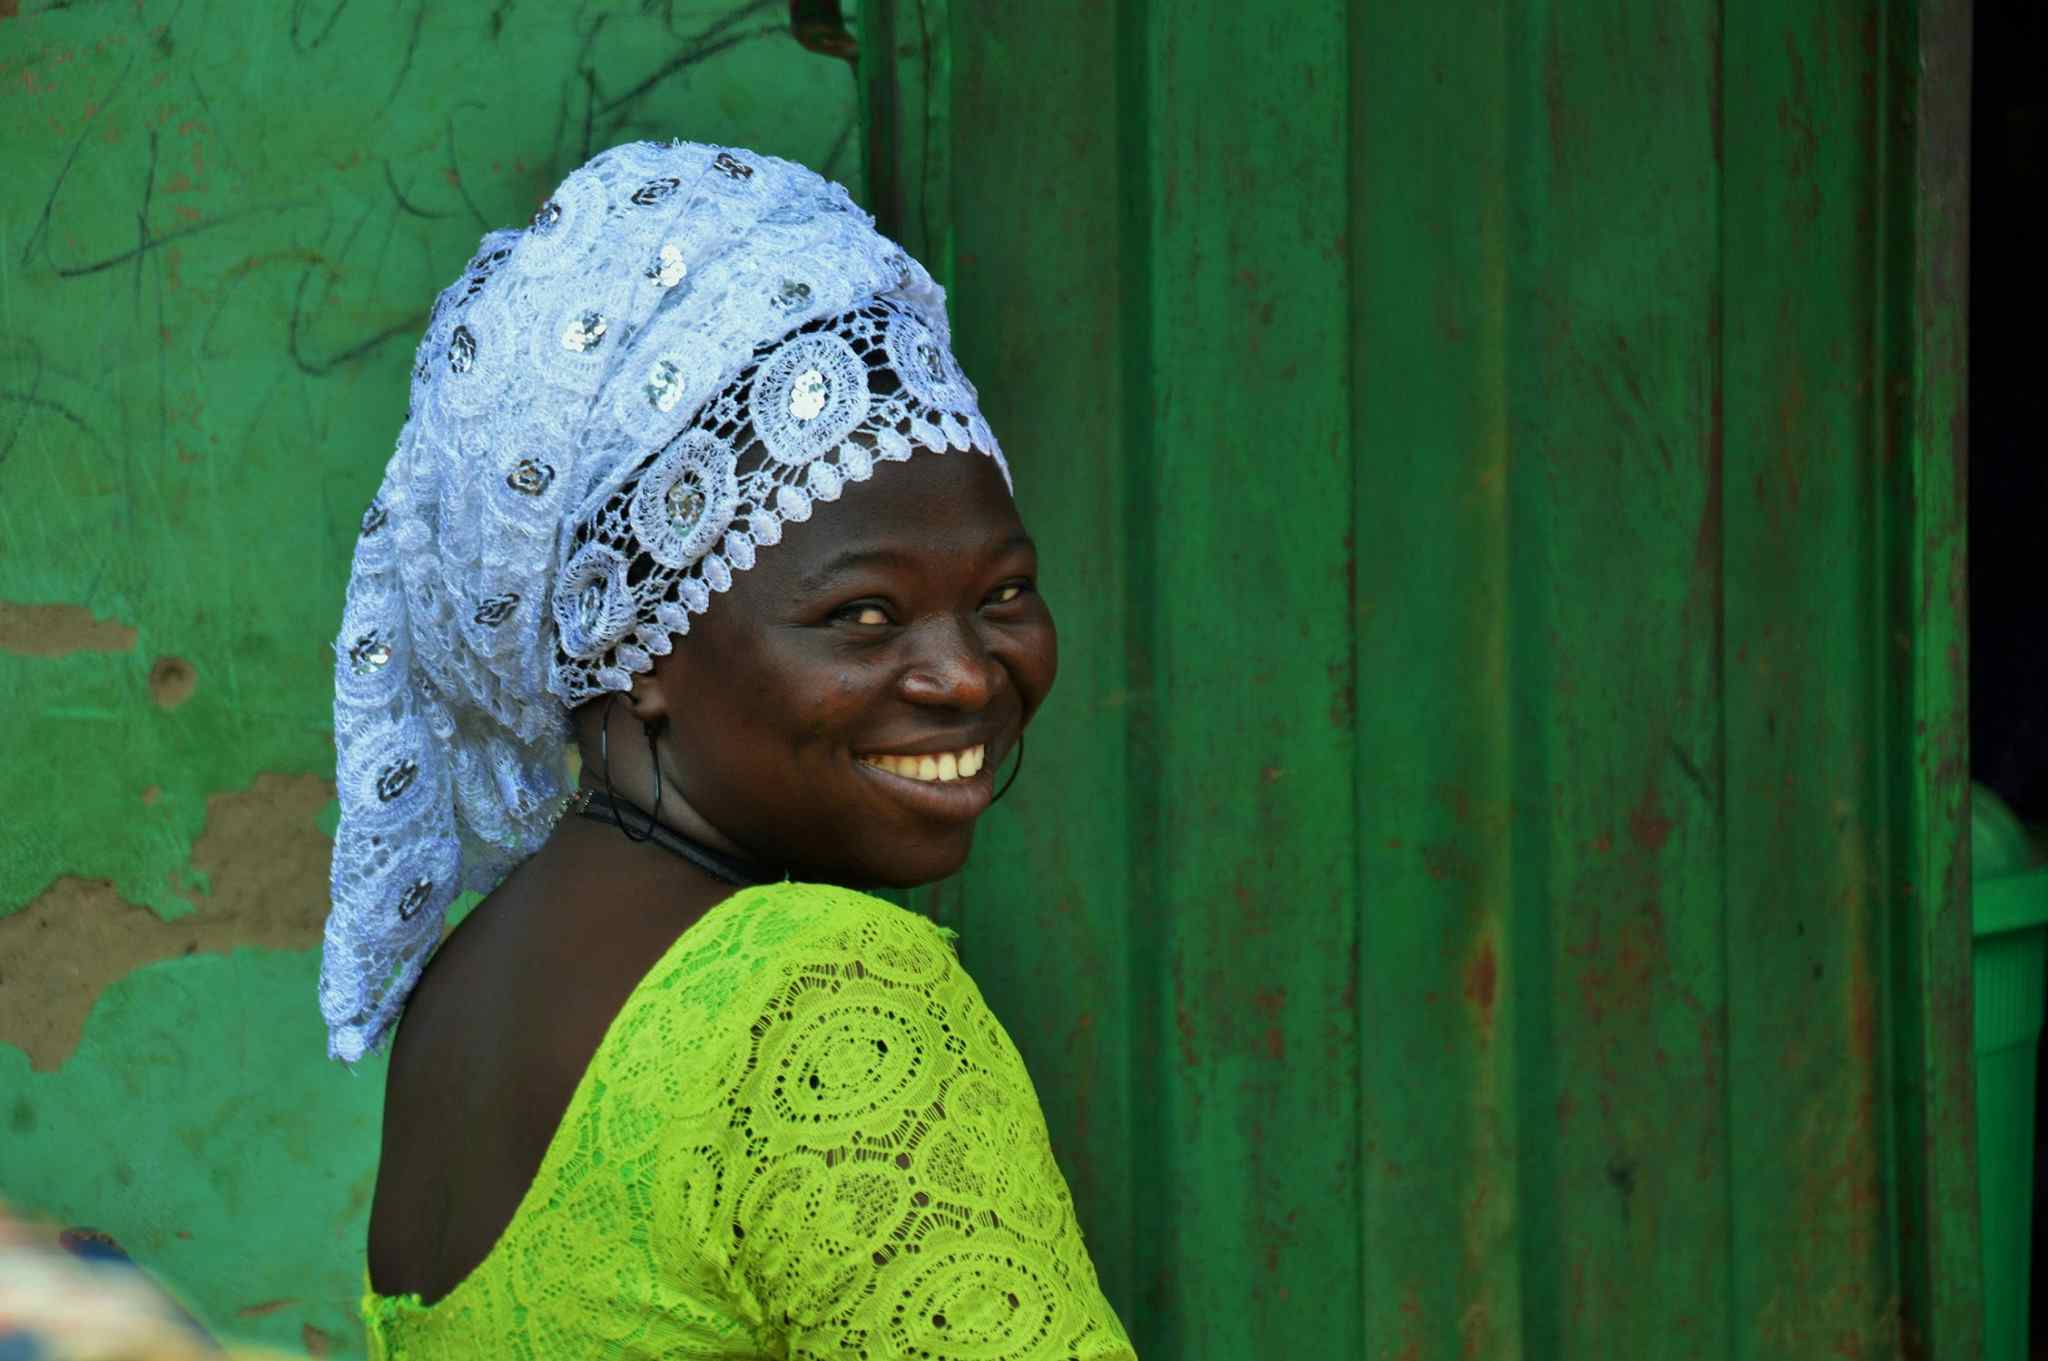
(1250, 734)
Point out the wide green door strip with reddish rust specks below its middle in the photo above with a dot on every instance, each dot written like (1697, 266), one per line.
(1615, 263)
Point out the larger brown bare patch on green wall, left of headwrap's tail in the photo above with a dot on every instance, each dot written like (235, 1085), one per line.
(267, 865)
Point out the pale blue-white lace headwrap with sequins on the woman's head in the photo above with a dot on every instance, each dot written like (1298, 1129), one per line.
(611, 414)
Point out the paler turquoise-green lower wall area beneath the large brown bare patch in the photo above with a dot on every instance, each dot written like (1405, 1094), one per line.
(189, 1127)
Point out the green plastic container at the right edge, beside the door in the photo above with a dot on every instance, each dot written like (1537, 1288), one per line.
(2010, 963)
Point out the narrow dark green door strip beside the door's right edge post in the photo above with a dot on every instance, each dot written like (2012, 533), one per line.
(1811, 1247)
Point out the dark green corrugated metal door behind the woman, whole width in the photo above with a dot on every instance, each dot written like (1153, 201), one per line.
(1492, 881)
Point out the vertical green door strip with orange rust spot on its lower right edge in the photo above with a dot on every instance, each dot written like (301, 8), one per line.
(1441, 969)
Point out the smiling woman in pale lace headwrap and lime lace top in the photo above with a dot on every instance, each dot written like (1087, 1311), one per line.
(691, 476)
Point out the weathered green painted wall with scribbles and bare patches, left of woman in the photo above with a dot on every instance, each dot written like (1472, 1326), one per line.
(220, 232)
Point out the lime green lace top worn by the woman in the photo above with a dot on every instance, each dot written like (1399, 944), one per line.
(804, 1137)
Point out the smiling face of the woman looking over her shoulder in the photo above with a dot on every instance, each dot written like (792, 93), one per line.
(892, 642)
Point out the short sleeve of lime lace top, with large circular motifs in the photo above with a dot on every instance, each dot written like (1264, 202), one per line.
(861, 1166)
